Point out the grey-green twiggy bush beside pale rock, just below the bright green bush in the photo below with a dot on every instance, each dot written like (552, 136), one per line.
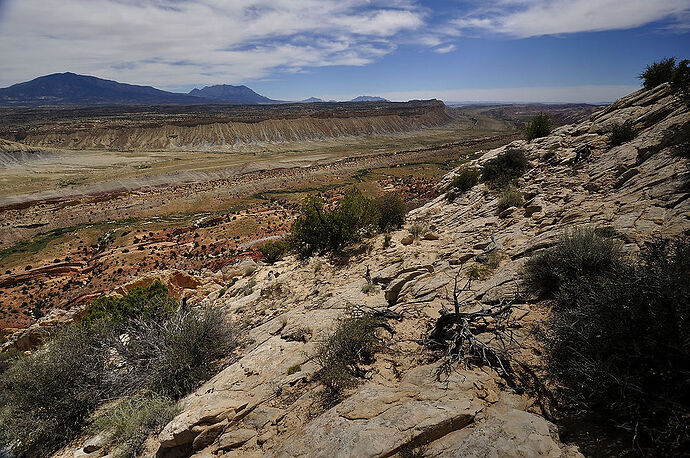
(171, 356)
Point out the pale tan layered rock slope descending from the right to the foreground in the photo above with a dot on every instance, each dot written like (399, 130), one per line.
(254, 408)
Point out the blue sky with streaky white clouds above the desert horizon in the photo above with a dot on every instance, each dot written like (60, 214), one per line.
(472, 50)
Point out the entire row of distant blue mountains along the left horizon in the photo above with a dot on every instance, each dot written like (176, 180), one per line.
(72, 89)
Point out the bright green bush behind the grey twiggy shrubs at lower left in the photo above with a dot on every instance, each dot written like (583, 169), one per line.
(147, 302)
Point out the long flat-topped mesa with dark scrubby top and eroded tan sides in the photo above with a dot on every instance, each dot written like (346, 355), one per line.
(215, 127)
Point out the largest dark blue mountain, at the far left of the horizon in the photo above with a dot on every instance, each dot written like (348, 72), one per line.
(72, 89)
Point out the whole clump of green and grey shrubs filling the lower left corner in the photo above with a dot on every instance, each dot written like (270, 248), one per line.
(46, 398)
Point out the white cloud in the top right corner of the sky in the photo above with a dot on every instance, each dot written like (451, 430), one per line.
(527, 18)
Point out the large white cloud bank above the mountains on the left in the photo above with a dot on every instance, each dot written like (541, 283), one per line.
(173, 42)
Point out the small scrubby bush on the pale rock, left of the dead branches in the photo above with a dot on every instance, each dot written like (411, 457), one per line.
(353, 342)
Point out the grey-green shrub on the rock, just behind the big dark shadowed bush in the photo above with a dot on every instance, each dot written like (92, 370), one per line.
(579, 254)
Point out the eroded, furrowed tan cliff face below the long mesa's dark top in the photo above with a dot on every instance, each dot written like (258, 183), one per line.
(226, 135)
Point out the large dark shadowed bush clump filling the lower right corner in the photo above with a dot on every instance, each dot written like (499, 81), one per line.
(617, 340)
